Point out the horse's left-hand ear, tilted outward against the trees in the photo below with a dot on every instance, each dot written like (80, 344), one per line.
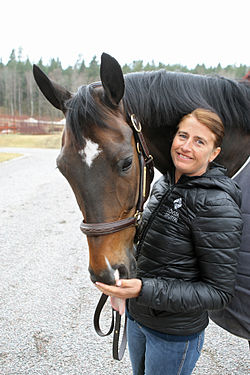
(54, 93)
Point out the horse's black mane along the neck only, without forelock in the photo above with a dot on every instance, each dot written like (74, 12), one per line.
(162, 98)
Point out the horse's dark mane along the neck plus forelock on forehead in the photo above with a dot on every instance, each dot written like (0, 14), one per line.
(161, 98)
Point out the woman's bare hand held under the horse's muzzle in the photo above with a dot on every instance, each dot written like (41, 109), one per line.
(124, 288)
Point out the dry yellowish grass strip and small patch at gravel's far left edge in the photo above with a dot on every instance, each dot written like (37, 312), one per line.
(27, 141)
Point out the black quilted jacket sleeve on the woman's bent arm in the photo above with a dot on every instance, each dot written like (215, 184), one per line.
(216, 234)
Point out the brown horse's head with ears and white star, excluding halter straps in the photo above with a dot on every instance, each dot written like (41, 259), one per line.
(99, 159)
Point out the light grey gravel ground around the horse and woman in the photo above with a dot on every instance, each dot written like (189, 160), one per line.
(46, 298)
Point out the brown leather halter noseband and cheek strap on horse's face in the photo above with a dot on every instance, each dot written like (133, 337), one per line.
(146, 163)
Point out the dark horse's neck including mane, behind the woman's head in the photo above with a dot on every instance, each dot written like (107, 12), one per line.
(159, 114)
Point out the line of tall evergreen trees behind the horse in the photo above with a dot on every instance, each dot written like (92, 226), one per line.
(20, 96)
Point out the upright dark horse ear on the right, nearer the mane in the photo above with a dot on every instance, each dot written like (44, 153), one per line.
(112, 78)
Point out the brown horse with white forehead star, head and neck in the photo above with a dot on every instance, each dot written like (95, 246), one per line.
(99, 154)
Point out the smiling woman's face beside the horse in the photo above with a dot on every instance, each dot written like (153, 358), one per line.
(193, 148)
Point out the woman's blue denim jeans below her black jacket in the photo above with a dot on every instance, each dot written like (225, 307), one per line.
(153, 355)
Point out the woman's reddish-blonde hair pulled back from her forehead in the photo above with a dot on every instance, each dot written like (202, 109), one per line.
(211, 120)
